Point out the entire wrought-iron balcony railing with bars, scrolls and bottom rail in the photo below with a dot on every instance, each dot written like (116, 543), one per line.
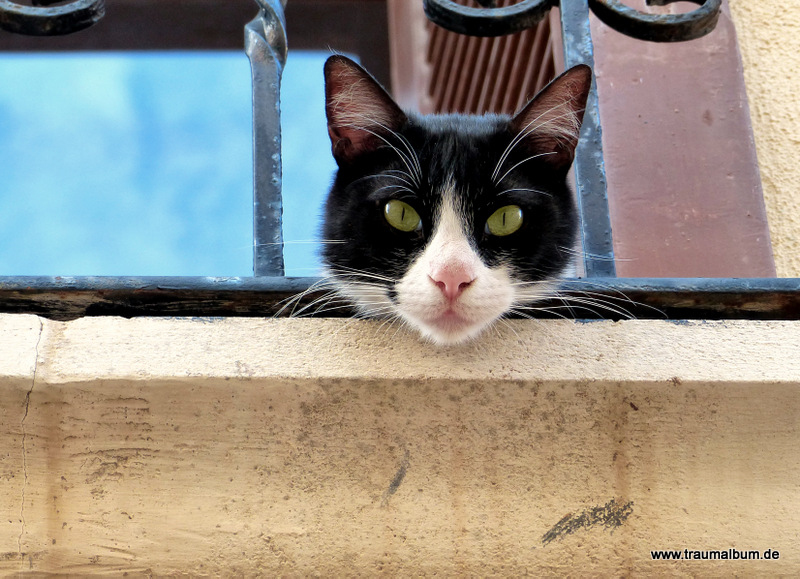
(266, 46)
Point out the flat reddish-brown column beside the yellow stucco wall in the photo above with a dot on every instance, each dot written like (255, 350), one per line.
(683, 182)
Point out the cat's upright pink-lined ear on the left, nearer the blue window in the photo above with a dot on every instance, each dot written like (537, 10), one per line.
(361, 114)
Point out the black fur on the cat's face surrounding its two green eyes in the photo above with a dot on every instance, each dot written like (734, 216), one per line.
(468, 148)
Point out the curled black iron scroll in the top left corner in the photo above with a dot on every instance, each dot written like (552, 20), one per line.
(39, 20)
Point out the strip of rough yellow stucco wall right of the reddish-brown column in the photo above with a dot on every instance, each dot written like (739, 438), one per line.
(769, 40)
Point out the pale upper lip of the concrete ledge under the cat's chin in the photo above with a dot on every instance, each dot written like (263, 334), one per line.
(633, 351)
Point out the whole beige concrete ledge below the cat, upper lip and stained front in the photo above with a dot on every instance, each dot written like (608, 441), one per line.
(246, 446)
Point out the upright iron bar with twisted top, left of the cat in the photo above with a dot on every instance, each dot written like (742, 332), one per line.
(266, 47)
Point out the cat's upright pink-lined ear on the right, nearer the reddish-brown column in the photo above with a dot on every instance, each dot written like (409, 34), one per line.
(551, 122)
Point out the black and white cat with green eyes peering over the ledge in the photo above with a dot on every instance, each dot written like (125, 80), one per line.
(448, 222)
